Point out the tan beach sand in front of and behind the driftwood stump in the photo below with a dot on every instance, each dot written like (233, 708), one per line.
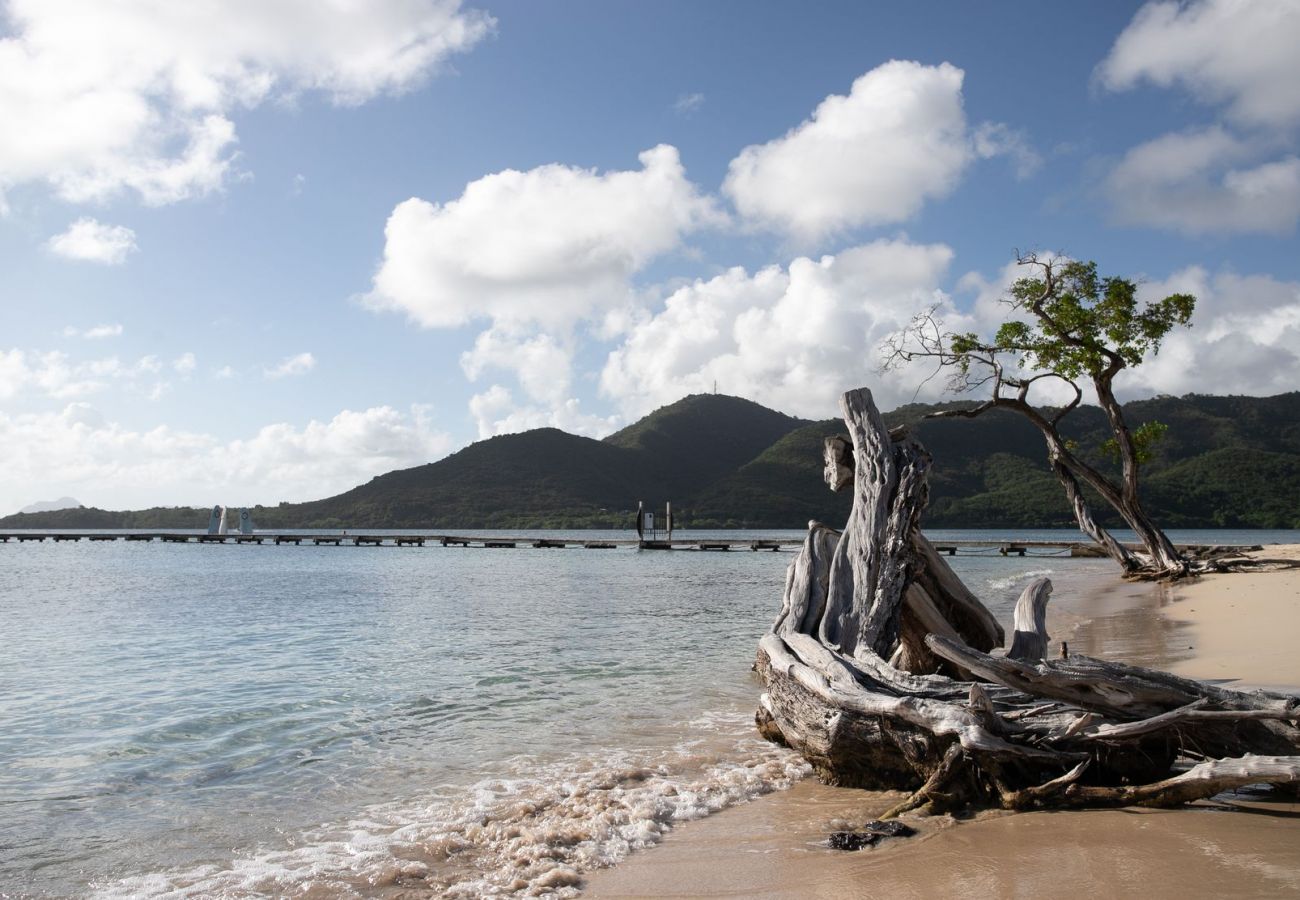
(1245, 845)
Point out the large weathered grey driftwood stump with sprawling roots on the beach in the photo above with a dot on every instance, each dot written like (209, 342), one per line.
(878, 670)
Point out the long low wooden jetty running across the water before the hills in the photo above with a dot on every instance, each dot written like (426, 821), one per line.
(967, 547)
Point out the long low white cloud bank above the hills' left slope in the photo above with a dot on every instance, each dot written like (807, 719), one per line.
(112, 466)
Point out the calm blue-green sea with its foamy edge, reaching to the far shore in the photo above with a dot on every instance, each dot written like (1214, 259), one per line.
(240, 721)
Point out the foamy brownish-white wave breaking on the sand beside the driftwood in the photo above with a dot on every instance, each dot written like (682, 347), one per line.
(534, 830)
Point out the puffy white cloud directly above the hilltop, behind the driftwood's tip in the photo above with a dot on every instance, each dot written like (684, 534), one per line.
(790, 339)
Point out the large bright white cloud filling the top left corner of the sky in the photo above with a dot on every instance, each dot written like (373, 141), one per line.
(98, 98)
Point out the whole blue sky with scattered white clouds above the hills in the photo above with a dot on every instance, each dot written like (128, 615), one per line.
(266, 250)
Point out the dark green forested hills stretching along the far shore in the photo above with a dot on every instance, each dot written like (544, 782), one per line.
(726, 462)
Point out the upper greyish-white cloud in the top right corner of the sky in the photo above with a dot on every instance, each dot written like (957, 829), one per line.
(1242, 55)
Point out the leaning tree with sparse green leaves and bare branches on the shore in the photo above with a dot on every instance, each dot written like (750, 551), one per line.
(1081, 330)
